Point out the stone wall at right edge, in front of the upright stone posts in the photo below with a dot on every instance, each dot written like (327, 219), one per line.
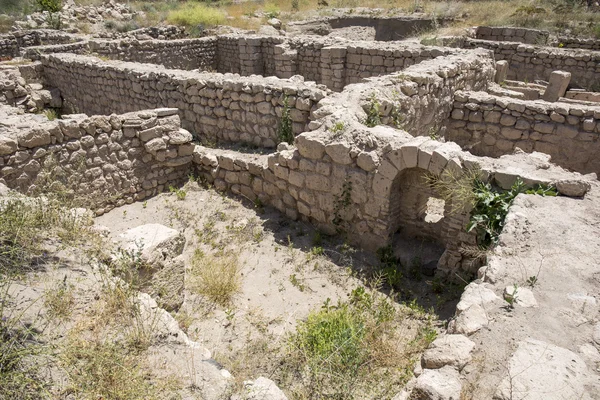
(489, 125)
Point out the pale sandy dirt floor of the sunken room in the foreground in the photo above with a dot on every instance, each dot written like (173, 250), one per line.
(288, 270)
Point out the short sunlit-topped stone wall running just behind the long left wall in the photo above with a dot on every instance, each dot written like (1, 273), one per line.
(186, 54)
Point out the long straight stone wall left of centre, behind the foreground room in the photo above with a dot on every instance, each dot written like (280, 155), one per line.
(213, 106)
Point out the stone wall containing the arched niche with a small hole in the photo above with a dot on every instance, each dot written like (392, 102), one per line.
(369, 194)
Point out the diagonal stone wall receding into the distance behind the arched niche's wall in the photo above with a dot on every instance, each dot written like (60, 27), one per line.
(418, 100)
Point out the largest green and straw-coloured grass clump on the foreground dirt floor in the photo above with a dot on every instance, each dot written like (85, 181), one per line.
(354, 350)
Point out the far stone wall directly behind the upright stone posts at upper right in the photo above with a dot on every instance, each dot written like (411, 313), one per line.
(528, 62)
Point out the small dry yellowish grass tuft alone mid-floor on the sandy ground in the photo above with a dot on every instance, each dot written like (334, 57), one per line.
(216, 276)
